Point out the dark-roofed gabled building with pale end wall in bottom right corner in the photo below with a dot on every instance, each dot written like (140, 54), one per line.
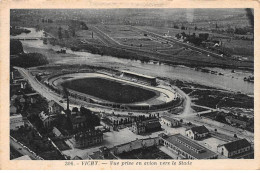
(235, 149)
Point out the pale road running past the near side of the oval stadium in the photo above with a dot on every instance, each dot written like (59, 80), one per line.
(187, 114)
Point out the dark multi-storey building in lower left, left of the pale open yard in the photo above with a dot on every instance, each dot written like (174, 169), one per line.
(87, 138)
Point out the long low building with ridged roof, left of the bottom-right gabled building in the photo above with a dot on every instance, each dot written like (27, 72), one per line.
(186, 148)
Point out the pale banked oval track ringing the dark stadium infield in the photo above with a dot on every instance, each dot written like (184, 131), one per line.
(164, 96)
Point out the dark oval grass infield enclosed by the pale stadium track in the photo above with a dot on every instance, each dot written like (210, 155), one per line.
(109, 90)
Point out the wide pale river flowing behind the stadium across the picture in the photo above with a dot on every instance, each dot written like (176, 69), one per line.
(230, 81)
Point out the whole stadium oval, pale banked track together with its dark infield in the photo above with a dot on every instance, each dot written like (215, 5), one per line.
(108, 87)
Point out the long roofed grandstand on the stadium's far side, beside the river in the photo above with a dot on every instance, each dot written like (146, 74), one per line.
(140, 77)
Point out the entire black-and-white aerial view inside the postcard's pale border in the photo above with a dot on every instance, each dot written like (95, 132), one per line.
(132, 83)
